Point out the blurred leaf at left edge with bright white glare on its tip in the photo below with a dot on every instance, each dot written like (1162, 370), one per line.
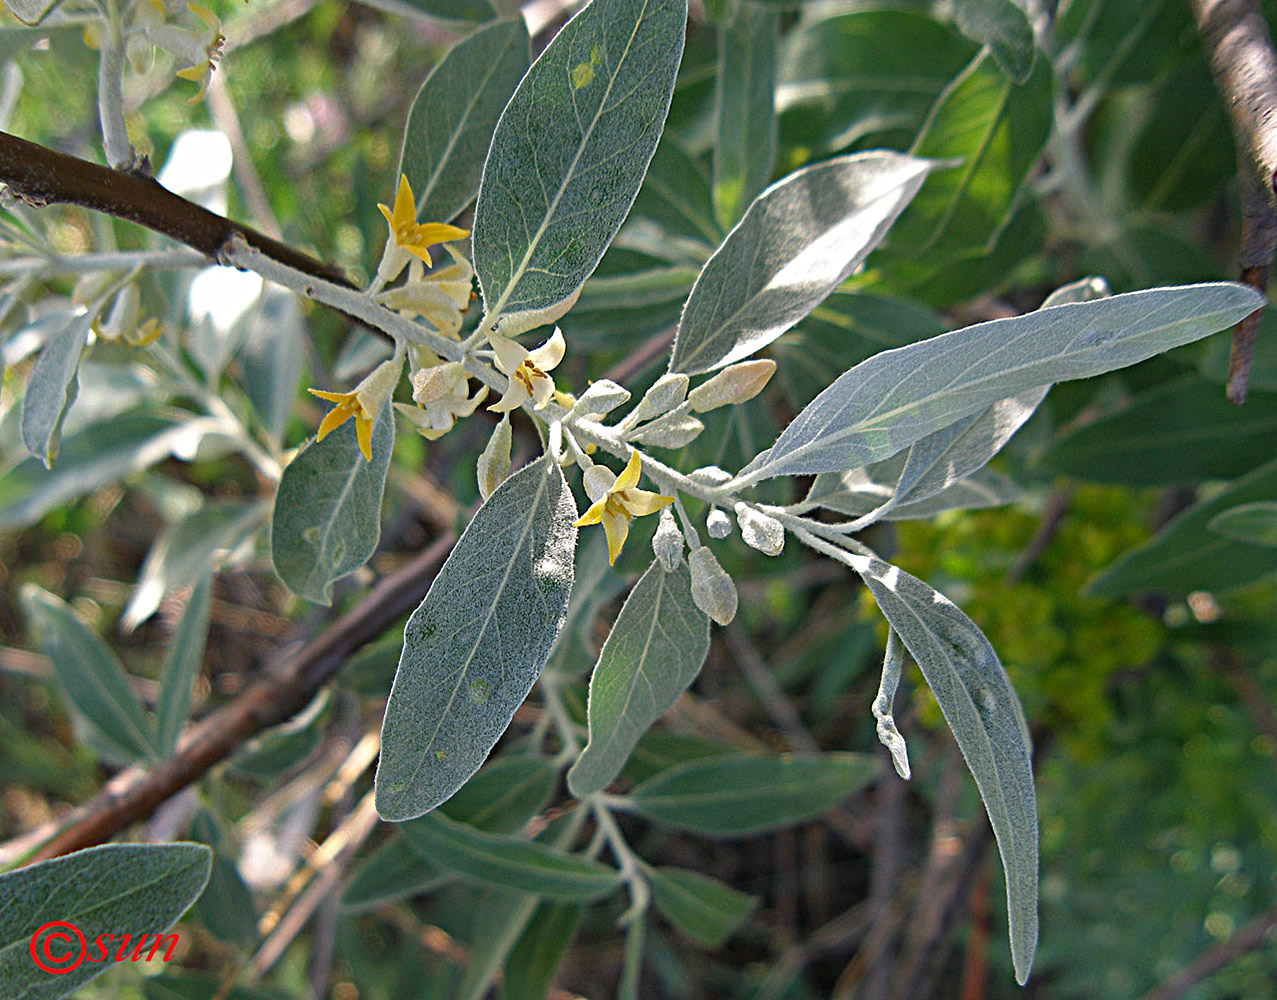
(94, 458)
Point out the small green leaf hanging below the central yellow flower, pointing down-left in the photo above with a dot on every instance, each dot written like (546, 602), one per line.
(654, 652)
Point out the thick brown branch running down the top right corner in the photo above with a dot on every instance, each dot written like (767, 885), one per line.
(1237, 42)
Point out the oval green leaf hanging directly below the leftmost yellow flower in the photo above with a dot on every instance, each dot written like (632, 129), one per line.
(328, 509)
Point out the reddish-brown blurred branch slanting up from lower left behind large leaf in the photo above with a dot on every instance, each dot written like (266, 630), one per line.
(285, 686)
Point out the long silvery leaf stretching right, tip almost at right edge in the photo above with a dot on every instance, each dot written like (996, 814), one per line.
(900, 397)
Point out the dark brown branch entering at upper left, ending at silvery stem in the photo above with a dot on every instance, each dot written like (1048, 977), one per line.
(42, 177)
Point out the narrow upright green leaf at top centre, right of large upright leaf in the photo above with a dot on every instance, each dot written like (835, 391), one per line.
(746, 145)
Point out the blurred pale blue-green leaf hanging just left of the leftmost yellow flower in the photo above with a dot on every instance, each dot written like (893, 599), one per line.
(273, 357)
